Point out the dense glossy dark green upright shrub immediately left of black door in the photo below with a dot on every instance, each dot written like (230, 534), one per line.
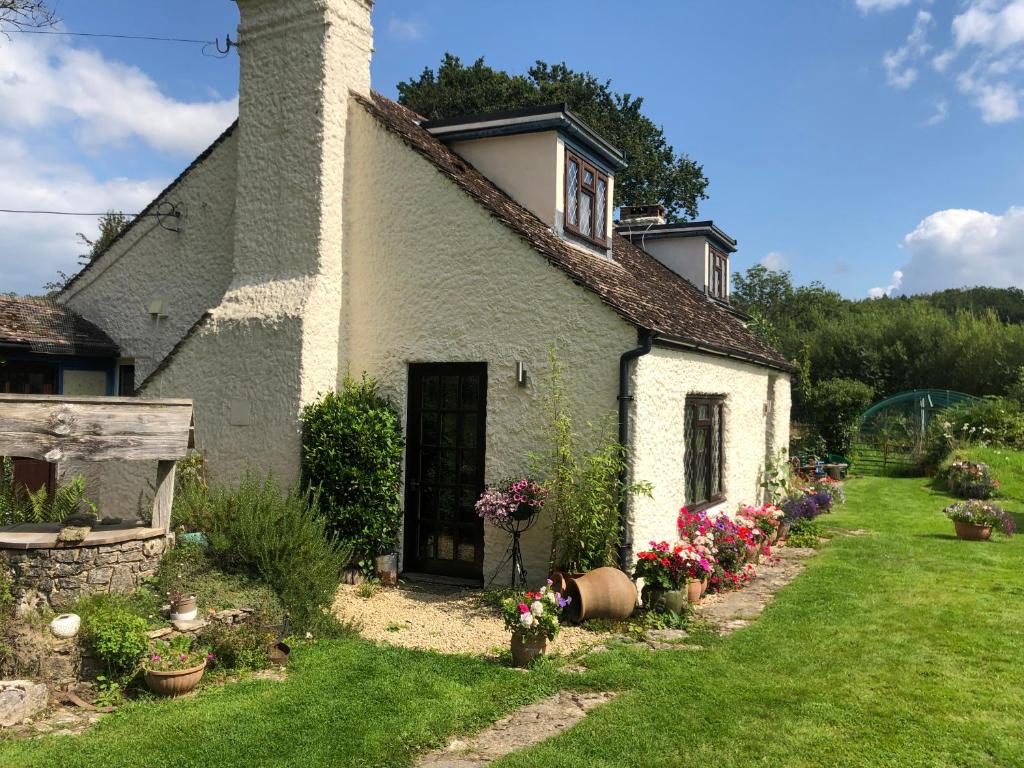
(352, 454)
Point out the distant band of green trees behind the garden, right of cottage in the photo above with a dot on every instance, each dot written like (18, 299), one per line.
(852, 353)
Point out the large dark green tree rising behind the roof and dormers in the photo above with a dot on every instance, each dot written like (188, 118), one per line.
(657, 174)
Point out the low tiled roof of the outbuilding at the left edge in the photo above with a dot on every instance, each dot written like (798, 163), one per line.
(48, 328)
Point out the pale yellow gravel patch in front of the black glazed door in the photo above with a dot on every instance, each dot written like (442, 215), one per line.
(446, 620)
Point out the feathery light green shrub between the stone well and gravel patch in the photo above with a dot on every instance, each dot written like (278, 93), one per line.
(283, 539)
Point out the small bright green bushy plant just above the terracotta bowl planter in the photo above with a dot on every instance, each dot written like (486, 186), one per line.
(115, 633)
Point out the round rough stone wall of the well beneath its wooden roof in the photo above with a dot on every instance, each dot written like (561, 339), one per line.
(61, 576)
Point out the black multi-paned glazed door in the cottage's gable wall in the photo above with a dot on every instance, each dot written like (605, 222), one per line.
(445, 468)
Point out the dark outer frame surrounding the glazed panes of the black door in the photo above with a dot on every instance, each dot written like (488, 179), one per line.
(416, 373)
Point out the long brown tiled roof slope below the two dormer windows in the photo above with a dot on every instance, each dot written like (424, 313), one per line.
(638, 287)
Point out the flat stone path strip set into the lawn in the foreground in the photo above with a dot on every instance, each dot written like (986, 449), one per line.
(523, 729)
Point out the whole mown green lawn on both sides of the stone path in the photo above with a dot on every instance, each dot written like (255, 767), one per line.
(900, 648)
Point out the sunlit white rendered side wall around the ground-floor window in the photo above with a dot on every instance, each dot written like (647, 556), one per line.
(662, 381)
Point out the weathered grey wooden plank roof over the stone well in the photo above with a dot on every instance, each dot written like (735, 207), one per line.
(56, 429)
